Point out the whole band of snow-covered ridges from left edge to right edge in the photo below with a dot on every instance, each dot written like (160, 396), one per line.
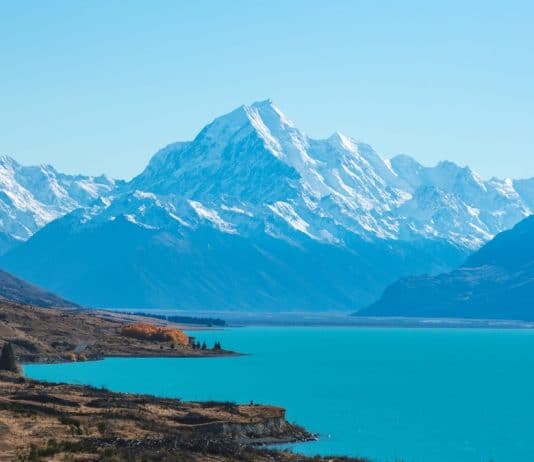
(343, 180)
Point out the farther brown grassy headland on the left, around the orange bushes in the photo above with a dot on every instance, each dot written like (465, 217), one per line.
(59, 335)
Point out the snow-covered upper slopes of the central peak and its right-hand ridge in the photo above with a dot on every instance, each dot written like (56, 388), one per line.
(253, 167)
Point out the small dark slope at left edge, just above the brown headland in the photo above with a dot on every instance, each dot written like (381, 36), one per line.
(17, 290)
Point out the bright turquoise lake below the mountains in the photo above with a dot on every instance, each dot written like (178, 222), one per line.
(389, 394)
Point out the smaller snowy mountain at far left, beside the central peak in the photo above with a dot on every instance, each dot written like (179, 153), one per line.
(31, 197)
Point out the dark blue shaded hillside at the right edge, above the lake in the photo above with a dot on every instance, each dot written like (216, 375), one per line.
(497, 282)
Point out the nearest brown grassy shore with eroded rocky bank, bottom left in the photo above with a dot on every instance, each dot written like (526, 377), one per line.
(44, 421)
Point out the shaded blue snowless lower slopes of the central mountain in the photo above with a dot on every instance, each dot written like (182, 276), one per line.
(207, 269)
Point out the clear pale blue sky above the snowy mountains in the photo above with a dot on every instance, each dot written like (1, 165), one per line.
(99, 86)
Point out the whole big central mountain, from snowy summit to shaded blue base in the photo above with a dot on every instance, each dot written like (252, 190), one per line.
(255, 215)
